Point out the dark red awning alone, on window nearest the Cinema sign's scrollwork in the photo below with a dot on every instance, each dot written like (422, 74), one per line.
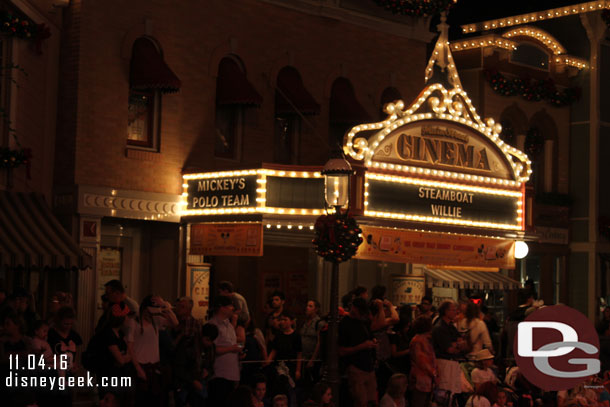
(344, 107)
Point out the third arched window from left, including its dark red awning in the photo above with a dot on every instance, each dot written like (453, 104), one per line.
(292, 103)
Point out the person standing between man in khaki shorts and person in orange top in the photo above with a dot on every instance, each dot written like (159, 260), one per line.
(383, 315)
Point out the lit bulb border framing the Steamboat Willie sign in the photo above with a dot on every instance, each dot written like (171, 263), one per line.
(519, 221)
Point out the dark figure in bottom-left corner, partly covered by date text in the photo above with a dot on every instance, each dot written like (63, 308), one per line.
(13, 343)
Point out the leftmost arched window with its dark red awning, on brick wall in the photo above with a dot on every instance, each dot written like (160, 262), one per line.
(149, 77)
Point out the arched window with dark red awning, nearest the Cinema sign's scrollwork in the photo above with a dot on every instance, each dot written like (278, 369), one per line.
(345, 111)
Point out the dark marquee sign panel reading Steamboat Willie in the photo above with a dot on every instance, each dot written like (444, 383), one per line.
(446, 202)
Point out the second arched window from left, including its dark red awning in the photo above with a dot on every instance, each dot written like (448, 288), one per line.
(234, 93)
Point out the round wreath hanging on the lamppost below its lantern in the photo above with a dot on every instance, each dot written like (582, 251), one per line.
(337, 237)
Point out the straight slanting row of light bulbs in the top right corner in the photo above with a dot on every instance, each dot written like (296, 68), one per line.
(538, 16)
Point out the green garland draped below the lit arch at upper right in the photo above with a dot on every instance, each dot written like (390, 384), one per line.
(532, 90)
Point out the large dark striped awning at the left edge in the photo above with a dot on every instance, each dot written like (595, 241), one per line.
(31, 236)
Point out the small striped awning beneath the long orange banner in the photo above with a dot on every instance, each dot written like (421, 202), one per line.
(480, 280)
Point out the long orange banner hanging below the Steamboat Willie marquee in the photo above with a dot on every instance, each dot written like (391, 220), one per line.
(404, 246)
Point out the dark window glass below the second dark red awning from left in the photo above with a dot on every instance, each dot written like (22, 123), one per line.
(229, 128)
